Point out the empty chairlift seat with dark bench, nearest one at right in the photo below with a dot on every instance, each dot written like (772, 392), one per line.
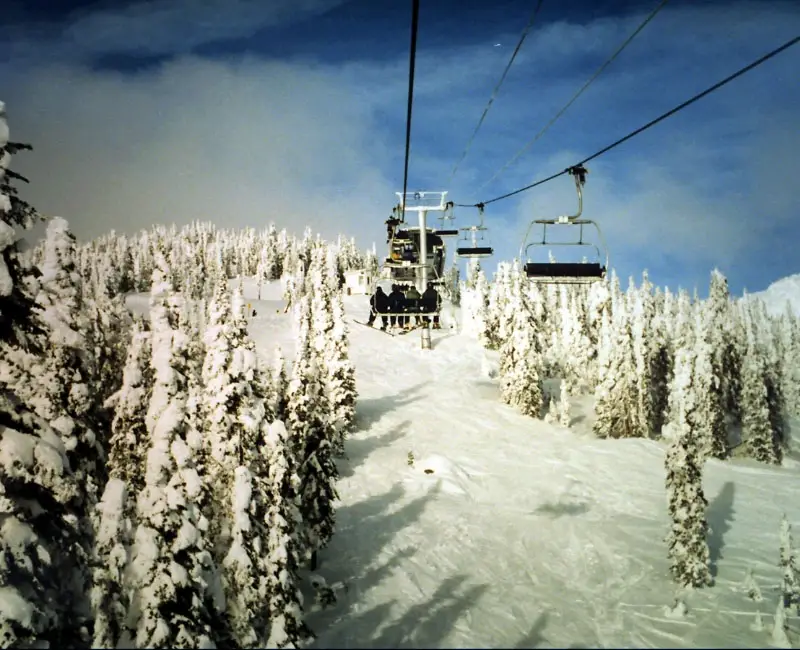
(555, 272)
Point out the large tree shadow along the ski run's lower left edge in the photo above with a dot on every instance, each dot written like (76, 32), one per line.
(356, 558)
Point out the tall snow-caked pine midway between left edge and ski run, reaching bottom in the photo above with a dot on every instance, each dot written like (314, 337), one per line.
(171, 567)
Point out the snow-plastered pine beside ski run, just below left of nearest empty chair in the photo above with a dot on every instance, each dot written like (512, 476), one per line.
(520, 355)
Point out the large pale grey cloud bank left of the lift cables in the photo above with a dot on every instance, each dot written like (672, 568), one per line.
(238, 144)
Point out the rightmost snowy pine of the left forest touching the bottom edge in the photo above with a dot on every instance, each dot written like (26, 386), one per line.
(285, 546)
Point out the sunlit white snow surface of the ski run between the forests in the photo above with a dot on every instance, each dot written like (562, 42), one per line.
(509, 532)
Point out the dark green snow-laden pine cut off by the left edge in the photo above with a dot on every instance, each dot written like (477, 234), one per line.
(43, 564)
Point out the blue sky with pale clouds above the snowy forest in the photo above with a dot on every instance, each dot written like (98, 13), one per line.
(247, 112)
